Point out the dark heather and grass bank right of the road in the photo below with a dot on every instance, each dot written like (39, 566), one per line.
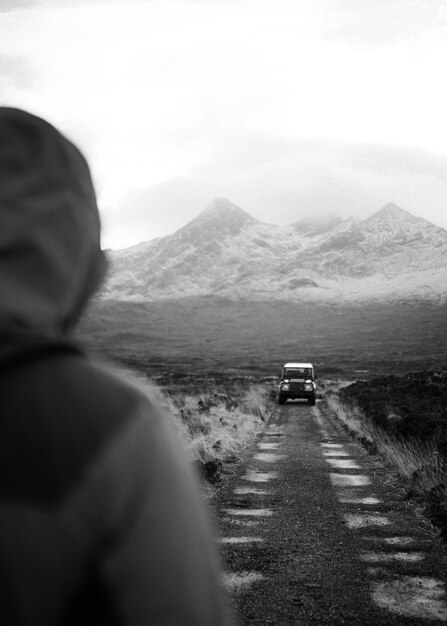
(404, 419)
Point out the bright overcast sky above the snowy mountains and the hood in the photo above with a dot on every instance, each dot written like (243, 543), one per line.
(289, 108)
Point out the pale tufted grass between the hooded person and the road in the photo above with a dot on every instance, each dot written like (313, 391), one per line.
(215, 419)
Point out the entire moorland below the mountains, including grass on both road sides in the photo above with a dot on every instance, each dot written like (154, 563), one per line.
(214, 361)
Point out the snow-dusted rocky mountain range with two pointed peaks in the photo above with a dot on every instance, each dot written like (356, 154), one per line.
(224, 251)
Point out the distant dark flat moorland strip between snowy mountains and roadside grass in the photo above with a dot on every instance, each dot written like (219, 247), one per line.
(216, 336)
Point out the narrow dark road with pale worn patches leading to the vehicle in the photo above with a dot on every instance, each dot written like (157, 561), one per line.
(313, 531)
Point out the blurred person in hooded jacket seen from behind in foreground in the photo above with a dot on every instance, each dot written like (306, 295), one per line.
(100, 518)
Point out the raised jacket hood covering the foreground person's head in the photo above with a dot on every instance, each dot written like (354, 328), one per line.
(50, 256)
